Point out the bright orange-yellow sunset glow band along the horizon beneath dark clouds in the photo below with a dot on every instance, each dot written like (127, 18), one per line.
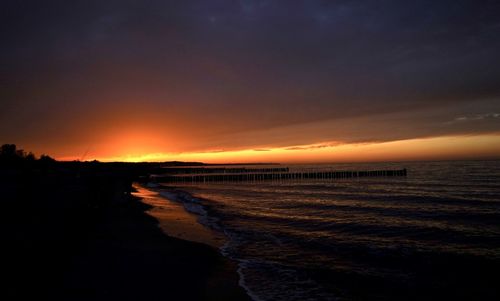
(139, 148)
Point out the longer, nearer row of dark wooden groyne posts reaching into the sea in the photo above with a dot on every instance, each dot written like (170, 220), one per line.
(227, 177)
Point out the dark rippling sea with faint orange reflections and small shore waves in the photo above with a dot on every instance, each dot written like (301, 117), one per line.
(431, 235)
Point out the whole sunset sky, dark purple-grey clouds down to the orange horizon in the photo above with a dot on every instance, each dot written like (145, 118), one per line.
(251, 80)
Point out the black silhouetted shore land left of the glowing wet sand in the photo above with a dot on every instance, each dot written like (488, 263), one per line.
(74, 232)
